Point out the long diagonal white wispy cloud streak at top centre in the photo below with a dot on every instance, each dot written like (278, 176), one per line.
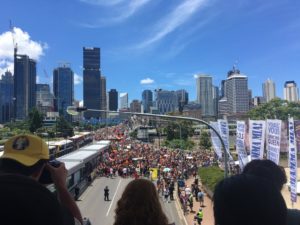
(173, 20)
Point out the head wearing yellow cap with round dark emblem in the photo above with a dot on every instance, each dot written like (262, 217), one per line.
(24, 154)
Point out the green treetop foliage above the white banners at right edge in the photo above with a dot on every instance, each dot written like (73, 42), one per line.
(276, 109)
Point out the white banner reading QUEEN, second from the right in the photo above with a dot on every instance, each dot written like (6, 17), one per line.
(273, 140)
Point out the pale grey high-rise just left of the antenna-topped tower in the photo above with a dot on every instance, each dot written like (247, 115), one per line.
(205, 94)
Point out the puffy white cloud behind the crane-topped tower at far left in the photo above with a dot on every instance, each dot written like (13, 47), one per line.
(25, 46)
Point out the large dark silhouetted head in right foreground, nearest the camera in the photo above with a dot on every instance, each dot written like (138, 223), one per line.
(248, 200)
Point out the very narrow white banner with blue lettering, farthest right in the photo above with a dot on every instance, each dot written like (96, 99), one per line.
(292, 160)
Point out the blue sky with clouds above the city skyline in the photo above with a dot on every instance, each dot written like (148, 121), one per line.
(148, 44)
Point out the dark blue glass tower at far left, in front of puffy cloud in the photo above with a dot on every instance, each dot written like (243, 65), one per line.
(24, 85)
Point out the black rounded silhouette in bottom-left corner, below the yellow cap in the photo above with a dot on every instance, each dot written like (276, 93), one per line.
(24, 201)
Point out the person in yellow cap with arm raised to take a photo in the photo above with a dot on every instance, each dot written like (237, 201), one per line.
(28, 155)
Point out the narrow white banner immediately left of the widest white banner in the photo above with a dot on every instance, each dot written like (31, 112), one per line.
(240, 143)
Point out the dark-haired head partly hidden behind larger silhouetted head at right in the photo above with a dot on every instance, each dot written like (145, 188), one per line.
(267, 169)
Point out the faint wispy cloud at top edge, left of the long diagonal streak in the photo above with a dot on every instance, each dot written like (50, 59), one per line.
(124, 12)
